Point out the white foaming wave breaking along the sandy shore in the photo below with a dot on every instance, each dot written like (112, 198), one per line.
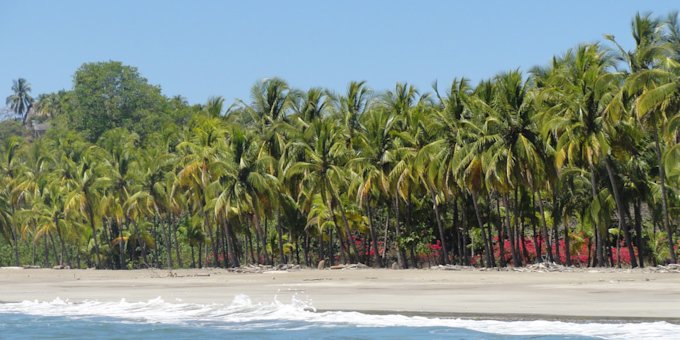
(243, 312)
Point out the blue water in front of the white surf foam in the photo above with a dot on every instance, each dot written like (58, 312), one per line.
(22, 326)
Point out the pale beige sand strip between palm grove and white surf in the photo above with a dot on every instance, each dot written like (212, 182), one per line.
(591, 295)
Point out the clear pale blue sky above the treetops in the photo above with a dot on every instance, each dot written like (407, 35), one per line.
(198, 49)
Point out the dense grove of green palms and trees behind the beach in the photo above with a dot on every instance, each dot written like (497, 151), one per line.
(575, 162)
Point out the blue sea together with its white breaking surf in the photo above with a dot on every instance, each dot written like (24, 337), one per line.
(243, 318)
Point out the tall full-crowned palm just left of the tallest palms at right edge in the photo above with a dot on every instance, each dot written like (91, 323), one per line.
(580, 94)
